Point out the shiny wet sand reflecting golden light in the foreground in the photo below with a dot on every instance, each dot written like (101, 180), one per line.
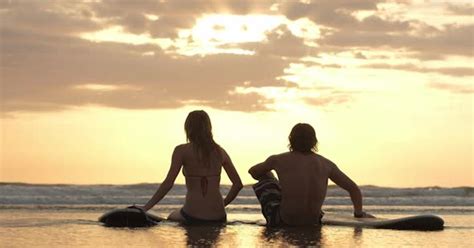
(73, 228)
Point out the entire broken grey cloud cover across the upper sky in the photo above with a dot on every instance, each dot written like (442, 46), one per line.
(46, 66)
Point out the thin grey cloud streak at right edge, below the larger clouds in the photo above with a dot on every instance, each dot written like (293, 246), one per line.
(451, 71)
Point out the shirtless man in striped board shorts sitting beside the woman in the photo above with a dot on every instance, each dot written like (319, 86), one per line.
(297, 198)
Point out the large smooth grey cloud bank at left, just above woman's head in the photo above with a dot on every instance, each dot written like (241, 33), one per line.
(55, 64)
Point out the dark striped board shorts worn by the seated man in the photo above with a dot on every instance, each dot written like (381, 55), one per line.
(268, 192)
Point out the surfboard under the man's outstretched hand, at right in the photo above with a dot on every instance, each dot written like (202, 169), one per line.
(425, 222)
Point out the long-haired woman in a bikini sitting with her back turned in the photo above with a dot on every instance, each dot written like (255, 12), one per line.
(202, 159)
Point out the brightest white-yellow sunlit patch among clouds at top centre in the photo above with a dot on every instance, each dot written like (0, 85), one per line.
(212, 34)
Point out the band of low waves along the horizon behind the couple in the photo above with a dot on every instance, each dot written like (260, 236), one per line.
(68, 194)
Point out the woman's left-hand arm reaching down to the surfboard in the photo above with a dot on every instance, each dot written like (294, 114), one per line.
(167, 184)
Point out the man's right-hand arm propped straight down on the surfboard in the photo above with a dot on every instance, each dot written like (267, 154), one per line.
(343, 181)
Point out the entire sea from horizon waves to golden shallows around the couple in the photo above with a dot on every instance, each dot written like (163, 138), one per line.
(36, 215)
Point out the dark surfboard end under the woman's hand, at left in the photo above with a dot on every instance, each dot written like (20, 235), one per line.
(129, 217)
